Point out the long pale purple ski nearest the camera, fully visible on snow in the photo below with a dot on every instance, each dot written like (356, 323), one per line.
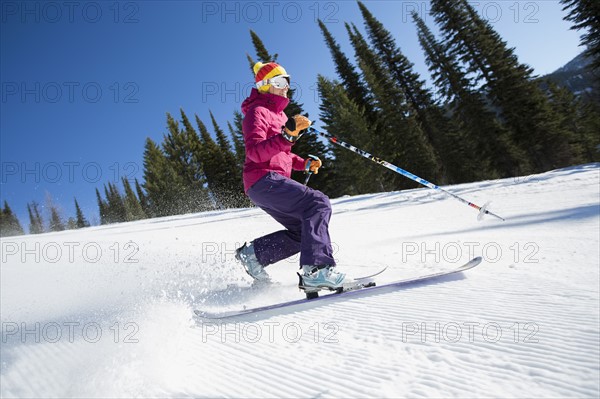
(352, 289)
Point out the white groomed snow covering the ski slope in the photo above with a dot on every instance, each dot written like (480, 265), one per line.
(108, 311)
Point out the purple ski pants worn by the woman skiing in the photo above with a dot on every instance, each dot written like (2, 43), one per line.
(305, 214)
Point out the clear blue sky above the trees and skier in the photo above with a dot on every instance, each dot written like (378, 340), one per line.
(84, 83)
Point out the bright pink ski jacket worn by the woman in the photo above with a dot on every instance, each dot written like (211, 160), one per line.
(266, 149)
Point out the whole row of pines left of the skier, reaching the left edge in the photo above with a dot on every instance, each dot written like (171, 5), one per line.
(188, 172)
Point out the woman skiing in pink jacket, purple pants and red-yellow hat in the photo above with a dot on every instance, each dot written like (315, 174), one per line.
(304, 213)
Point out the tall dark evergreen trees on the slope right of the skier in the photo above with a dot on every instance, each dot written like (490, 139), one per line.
(491, 118)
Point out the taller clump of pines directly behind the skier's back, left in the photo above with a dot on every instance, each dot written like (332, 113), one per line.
(192, 172)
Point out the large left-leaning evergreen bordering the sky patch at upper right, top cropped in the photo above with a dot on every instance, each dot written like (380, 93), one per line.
(521, 104)
